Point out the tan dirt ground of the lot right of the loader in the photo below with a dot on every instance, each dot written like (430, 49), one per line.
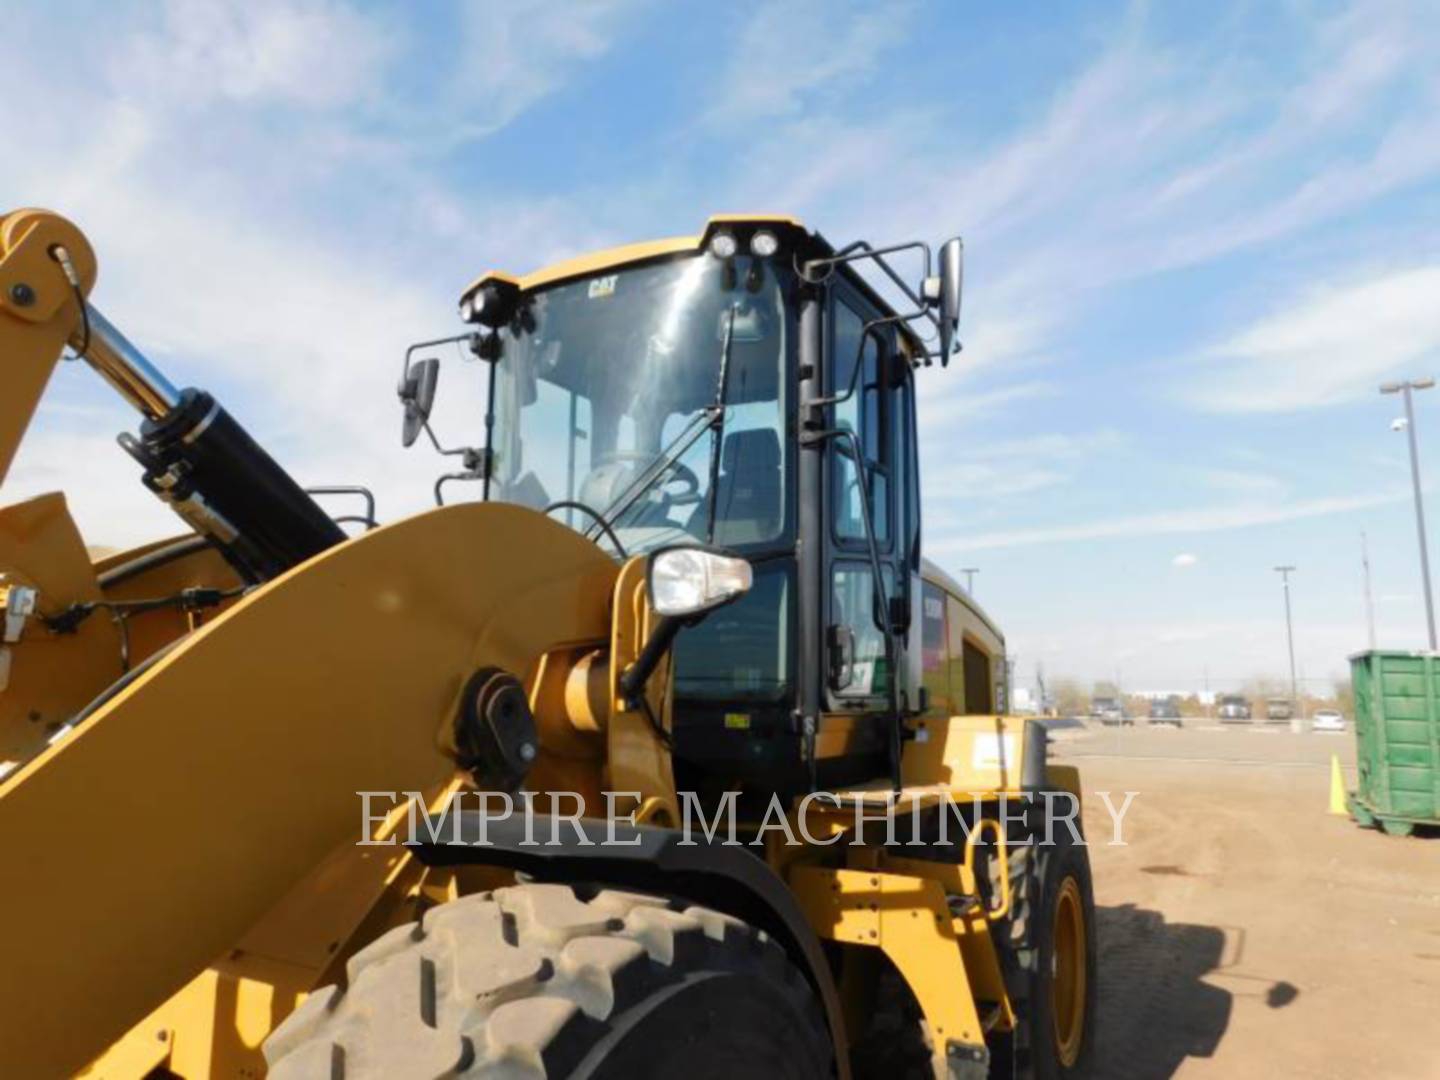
(1245, 932)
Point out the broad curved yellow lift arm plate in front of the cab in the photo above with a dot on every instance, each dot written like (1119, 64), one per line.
(143, 846)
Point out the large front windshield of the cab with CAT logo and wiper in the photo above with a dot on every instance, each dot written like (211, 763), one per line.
(608, 395)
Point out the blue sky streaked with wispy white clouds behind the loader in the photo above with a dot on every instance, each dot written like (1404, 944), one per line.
(1197, 235)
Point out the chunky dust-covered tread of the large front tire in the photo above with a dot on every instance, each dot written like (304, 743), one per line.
(515, 984)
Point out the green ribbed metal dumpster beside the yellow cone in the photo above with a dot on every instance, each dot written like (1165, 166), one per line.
(1398, 731)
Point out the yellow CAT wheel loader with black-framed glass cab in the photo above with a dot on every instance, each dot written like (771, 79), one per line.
(654, 750)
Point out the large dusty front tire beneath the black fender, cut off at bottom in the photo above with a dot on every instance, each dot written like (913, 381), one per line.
(538, 981)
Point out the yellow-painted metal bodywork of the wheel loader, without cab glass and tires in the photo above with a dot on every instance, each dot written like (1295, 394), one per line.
(185, 822)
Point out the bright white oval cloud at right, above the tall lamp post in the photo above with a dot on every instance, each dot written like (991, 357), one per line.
(1333, 345)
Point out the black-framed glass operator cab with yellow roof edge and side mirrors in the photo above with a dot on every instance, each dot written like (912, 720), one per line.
(747, 390)
